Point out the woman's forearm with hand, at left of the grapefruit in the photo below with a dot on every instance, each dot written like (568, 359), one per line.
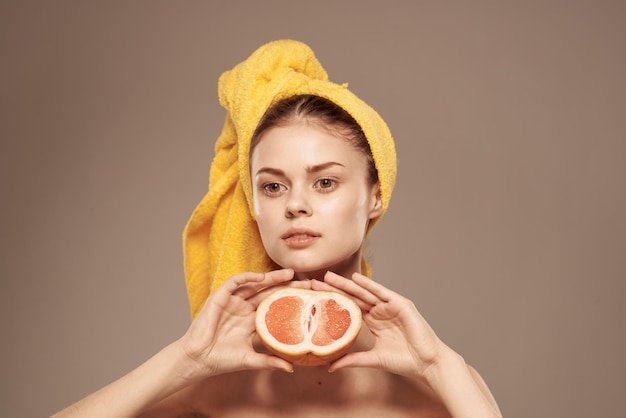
(218, 341)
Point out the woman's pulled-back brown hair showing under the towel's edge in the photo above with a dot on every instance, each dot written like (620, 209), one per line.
(326, 114)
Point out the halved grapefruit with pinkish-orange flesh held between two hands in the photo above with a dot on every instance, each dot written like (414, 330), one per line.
(308, 327)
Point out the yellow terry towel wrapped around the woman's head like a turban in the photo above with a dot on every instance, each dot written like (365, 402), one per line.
(221, 237)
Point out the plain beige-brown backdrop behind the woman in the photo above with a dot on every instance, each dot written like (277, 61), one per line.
(506, 228)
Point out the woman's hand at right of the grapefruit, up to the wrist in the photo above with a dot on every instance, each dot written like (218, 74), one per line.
(404, 342)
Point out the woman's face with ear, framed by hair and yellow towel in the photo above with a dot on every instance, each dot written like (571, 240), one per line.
(312, 200)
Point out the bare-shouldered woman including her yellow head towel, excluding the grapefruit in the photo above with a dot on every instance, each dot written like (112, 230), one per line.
(303, 170)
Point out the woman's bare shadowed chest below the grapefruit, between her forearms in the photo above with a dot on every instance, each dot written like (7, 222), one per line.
(314, 393)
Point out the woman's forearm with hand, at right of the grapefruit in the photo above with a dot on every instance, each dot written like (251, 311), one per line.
(407, 345)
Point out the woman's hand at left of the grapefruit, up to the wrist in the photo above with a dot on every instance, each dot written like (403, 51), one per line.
(220, 339)
